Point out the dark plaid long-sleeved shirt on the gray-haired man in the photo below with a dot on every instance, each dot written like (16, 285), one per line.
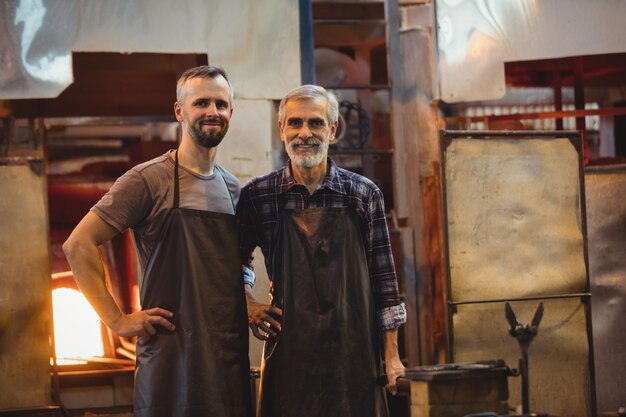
(258, 212)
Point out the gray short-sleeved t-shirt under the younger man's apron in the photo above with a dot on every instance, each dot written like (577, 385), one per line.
(140, 198)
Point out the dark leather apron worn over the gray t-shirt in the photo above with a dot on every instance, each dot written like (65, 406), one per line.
(202, 367)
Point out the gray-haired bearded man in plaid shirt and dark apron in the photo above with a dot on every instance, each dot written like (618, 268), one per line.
(335, 307)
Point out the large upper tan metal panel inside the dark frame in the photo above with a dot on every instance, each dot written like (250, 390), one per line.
(513, 211)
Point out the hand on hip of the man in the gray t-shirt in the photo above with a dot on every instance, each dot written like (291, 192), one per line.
(141, 323)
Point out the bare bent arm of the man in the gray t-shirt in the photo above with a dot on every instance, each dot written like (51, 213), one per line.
(81, 250)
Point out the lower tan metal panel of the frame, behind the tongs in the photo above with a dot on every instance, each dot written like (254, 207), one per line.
(558, 356)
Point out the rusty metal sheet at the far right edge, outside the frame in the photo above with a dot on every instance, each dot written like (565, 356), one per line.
(606, 228)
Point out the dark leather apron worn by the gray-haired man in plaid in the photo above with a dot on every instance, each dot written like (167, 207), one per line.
(326, 360)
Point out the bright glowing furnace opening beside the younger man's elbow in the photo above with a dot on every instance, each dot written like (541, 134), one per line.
(76, 327)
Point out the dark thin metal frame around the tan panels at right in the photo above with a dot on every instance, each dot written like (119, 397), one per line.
(575, 137)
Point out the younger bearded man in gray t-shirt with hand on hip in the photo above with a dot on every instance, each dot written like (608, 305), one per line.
(192, 337)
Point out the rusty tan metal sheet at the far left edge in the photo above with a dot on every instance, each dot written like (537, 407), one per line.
(25, 295)
